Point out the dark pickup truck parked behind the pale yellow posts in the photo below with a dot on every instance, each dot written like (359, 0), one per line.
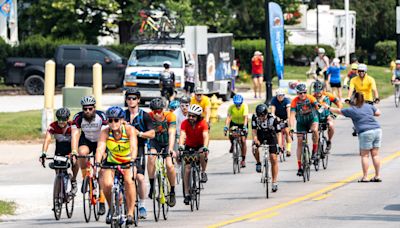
(29, 72)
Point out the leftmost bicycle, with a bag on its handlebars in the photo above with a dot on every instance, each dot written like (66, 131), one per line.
(62, 185)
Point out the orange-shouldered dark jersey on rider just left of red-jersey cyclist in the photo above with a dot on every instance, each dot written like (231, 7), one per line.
(161, 127)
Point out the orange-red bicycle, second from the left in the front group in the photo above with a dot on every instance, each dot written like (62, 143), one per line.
(90, 190)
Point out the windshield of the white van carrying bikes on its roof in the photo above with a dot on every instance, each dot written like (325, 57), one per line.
(155, 58)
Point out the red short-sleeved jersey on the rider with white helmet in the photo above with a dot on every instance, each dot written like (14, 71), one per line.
(194, 135)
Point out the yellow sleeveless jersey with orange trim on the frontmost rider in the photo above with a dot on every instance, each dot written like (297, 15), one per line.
(118, 151)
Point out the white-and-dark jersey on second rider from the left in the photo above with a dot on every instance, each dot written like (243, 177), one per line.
(90, 130)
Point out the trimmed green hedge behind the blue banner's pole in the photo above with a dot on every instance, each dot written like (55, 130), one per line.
(294, 54)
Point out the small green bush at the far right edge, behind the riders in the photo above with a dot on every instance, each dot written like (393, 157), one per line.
(385, 52)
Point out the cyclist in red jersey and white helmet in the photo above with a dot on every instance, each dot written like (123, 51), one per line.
(194, 135)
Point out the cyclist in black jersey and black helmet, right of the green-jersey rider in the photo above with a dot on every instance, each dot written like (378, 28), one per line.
(265, 127)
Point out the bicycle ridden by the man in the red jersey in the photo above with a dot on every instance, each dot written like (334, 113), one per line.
(193, 158)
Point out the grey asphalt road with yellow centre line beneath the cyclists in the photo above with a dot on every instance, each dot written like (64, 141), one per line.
(332, 198)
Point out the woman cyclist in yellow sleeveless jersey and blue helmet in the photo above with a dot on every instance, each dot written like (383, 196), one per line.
(120, 142)
